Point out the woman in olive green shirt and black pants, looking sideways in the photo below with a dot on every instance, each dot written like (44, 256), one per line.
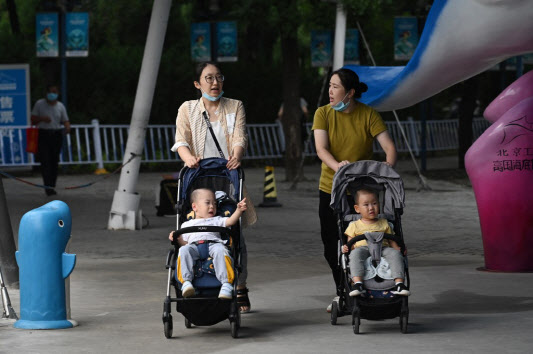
(344, 133)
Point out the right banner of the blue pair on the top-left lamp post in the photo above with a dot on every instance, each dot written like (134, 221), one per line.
(77, 33)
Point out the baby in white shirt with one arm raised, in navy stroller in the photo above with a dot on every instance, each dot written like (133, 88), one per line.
(205, 209)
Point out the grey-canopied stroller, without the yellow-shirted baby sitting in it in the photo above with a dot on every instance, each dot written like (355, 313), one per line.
(377, 303)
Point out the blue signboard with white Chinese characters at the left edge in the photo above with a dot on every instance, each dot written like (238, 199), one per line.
(14, 110)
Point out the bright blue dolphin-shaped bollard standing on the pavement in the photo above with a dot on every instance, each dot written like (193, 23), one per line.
(44, 266)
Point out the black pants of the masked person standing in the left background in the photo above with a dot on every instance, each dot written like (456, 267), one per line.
(49, 147)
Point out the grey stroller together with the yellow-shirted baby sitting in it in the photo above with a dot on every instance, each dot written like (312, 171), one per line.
(369, 185)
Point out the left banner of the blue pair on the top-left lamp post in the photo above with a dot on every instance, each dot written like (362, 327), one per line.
(47, 34)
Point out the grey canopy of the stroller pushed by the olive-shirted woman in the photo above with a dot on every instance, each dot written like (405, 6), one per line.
(367, 174)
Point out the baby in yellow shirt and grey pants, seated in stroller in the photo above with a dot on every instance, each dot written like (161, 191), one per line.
(367, 204)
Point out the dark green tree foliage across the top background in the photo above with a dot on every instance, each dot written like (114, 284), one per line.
(104, 85)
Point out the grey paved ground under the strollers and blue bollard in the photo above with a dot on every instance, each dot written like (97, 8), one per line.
(118, 285)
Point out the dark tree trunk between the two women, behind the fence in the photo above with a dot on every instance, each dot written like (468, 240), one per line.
(292, 112)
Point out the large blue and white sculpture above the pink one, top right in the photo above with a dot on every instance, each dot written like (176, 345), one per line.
(461, 38)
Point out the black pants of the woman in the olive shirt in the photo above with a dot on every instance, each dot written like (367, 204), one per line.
(330, 236)
